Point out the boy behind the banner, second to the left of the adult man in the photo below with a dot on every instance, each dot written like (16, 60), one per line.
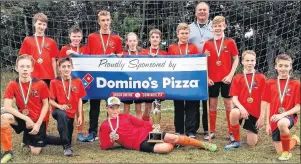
(154, 50)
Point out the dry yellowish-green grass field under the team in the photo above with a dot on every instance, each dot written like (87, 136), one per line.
(90, 152)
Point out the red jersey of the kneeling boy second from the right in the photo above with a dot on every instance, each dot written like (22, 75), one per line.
(239, 88)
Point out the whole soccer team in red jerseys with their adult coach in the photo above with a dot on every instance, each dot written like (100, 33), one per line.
(39, 91)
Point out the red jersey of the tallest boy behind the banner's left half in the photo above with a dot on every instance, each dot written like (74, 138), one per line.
(95, 44)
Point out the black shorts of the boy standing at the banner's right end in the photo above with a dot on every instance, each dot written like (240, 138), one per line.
(215, 89)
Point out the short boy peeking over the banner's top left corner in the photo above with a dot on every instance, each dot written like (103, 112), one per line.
(76, 36)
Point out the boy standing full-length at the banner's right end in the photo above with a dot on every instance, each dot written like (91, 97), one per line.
(222, 55)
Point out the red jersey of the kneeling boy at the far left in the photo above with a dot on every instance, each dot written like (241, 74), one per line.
(39, 91)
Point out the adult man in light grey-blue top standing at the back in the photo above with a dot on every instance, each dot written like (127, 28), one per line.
(200, 31)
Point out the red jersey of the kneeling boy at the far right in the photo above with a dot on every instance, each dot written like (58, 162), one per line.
(291, 98)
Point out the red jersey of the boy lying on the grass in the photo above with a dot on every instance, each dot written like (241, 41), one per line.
(132, 132)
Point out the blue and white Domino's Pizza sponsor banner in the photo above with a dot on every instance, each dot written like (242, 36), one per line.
(143, 77)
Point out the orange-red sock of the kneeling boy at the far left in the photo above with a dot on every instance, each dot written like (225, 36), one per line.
(6, 138)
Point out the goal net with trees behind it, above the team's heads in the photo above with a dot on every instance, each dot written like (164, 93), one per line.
(268, 27)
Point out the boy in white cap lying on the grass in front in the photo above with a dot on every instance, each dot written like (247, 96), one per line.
(132, 133)
